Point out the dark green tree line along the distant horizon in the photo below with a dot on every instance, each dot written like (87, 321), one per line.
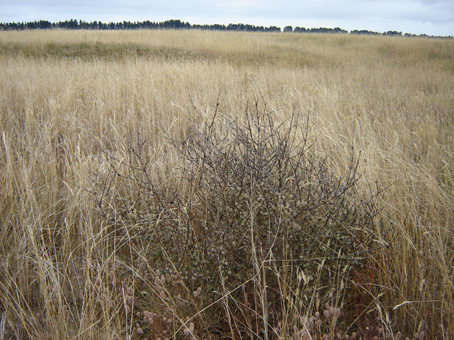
(178, 24)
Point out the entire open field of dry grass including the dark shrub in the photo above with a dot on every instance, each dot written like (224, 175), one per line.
(117, 156)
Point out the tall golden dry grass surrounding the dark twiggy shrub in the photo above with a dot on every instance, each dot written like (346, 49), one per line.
(67, 98)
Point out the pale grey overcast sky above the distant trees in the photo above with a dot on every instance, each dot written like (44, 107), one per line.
(433, 17)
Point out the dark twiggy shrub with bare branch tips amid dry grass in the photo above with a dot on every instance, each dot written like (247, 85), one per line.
(256, 217)
